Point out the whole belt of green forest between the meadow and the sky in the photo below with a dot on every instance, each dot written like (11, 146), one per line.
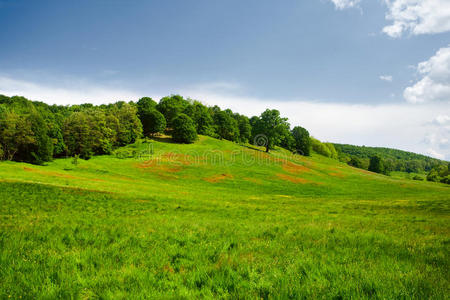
(36, 132)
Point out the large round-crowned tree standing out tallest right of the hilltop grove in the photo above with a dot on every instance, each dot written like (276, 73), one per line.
(270, 127)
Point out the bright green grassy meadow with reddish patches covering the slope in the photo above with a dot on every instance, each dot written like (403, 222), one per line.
(219, 220)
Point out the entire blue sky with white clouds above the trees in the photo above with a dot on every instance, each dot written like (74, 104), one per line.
(364, 72)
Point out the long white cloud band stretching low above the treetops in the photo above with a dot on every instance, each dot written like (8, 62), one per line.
(371, 125)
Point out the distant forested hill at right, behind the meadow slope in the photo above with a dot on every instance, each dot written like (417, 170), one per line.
(397, 160)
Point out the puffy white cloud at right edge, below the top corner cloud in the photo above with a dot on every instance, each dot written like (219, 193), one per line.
(435, 83)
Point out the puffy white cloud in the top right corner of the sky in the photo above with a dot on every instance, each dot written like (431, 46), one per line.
(417, 17)
